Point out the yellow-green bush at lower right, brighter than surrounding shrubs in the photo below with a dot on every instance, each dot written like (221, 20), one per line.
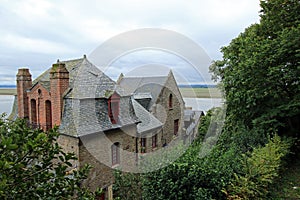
(260, 168)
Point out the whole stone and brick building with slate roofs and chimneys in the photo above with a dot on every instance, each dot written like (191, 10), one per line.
(107, 124)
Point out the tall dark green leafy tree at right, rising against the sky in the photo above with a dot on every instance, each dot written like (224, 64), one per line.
(260, 71)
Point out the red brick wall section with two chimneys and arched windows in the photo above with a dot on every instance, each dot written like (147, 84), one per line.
(43, 108)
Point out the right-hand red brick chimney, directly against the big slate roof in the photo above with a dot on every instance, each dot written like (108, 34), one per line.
(59, 83)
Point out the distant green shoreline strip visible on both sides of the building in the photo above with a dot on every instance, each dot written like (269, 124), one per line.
(185, 92)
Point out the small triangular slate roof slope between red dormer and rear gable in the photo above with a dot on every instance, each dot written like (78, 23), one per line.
(147, 121)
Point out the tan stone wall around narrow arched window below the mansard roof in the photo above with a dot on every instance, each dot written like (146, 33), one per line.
(95, 149)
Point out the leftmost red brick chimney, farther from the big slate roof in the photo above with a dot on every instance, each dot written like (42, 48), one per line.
(23, 84)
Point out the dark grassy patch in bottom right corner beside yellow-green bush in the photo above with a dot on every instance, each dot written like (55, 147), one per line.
(287, 186)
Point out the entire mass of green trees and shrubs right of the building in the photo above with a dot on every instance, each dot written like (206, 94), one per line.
(257, 153)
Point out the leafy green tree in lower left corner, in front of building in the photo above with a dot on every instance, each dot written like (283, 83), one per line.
(33, 166)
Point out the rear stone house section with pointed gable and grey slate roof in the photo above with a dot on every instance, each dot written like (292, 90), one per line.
(162, 98)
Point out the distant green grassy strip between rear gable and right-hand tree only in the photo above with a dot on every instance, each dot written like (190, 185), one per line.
(200, 92)
